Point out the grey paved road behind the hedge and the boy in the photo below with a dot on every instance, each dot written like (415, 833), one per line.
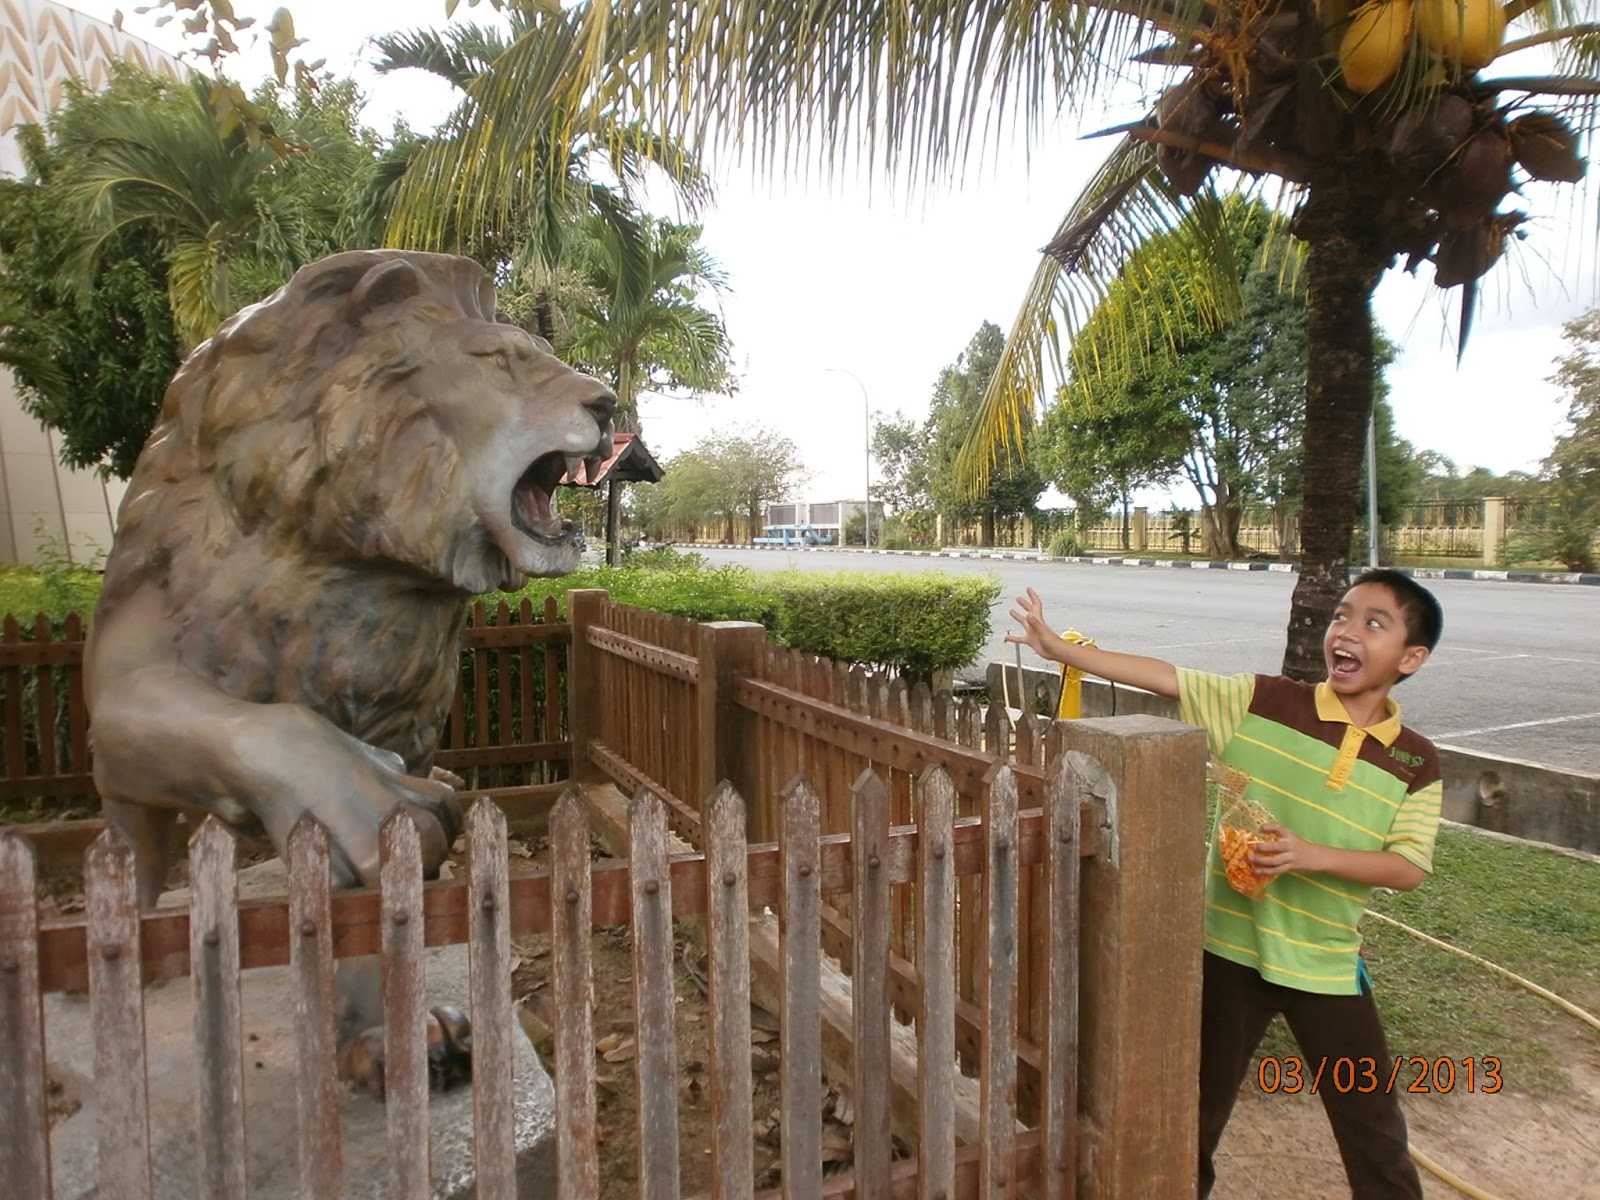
(1518, 673)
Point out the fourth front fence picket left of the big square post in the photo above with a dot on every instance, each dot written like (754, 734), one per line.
(870, 986)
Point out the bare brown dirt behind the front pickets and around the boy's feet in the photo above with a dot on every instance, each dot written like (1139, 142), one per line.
(1508, 1145)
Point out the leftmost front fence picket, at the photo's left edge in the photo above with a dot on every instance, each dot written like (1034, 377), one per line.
(25, 1151)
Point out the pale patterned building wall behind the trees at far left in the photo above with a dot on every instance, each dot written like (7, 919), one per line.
(42, 503)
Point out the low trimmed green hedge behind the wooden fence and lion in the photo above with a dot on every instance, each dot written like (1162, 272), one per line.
(913, 623)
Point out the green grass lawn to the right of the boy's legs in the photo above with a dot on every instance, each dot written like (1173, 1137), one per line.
(1532, 911)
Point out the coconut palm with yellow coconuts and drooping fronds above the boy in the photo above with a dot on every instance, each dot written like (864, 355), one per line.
(1382, 126)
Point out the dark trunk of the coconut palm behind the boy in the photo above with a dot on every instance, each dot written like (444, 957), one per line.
(1342, 271)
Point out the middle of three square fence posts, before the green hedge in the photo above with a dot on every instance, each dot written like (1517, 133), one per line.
(726, 734)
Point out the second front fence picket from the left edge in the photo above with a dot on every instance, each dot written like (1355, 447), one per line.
(111, 906)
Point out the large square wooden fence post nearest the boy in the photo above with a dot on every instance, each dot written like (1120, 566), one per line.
(1142, 940)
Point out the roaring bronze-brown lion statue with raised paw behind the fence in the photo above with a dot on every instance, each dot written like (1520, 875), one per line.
(332, 476)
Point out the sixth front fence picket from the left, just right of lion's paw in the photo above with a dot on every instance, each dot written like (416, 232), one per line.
(494, 1026)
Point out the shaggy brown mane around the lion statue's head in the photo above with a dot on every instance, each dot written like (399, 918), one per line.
(294, 425)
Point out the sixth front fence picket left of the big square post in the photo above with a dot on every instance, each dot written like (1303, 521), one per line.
(729, 942)
